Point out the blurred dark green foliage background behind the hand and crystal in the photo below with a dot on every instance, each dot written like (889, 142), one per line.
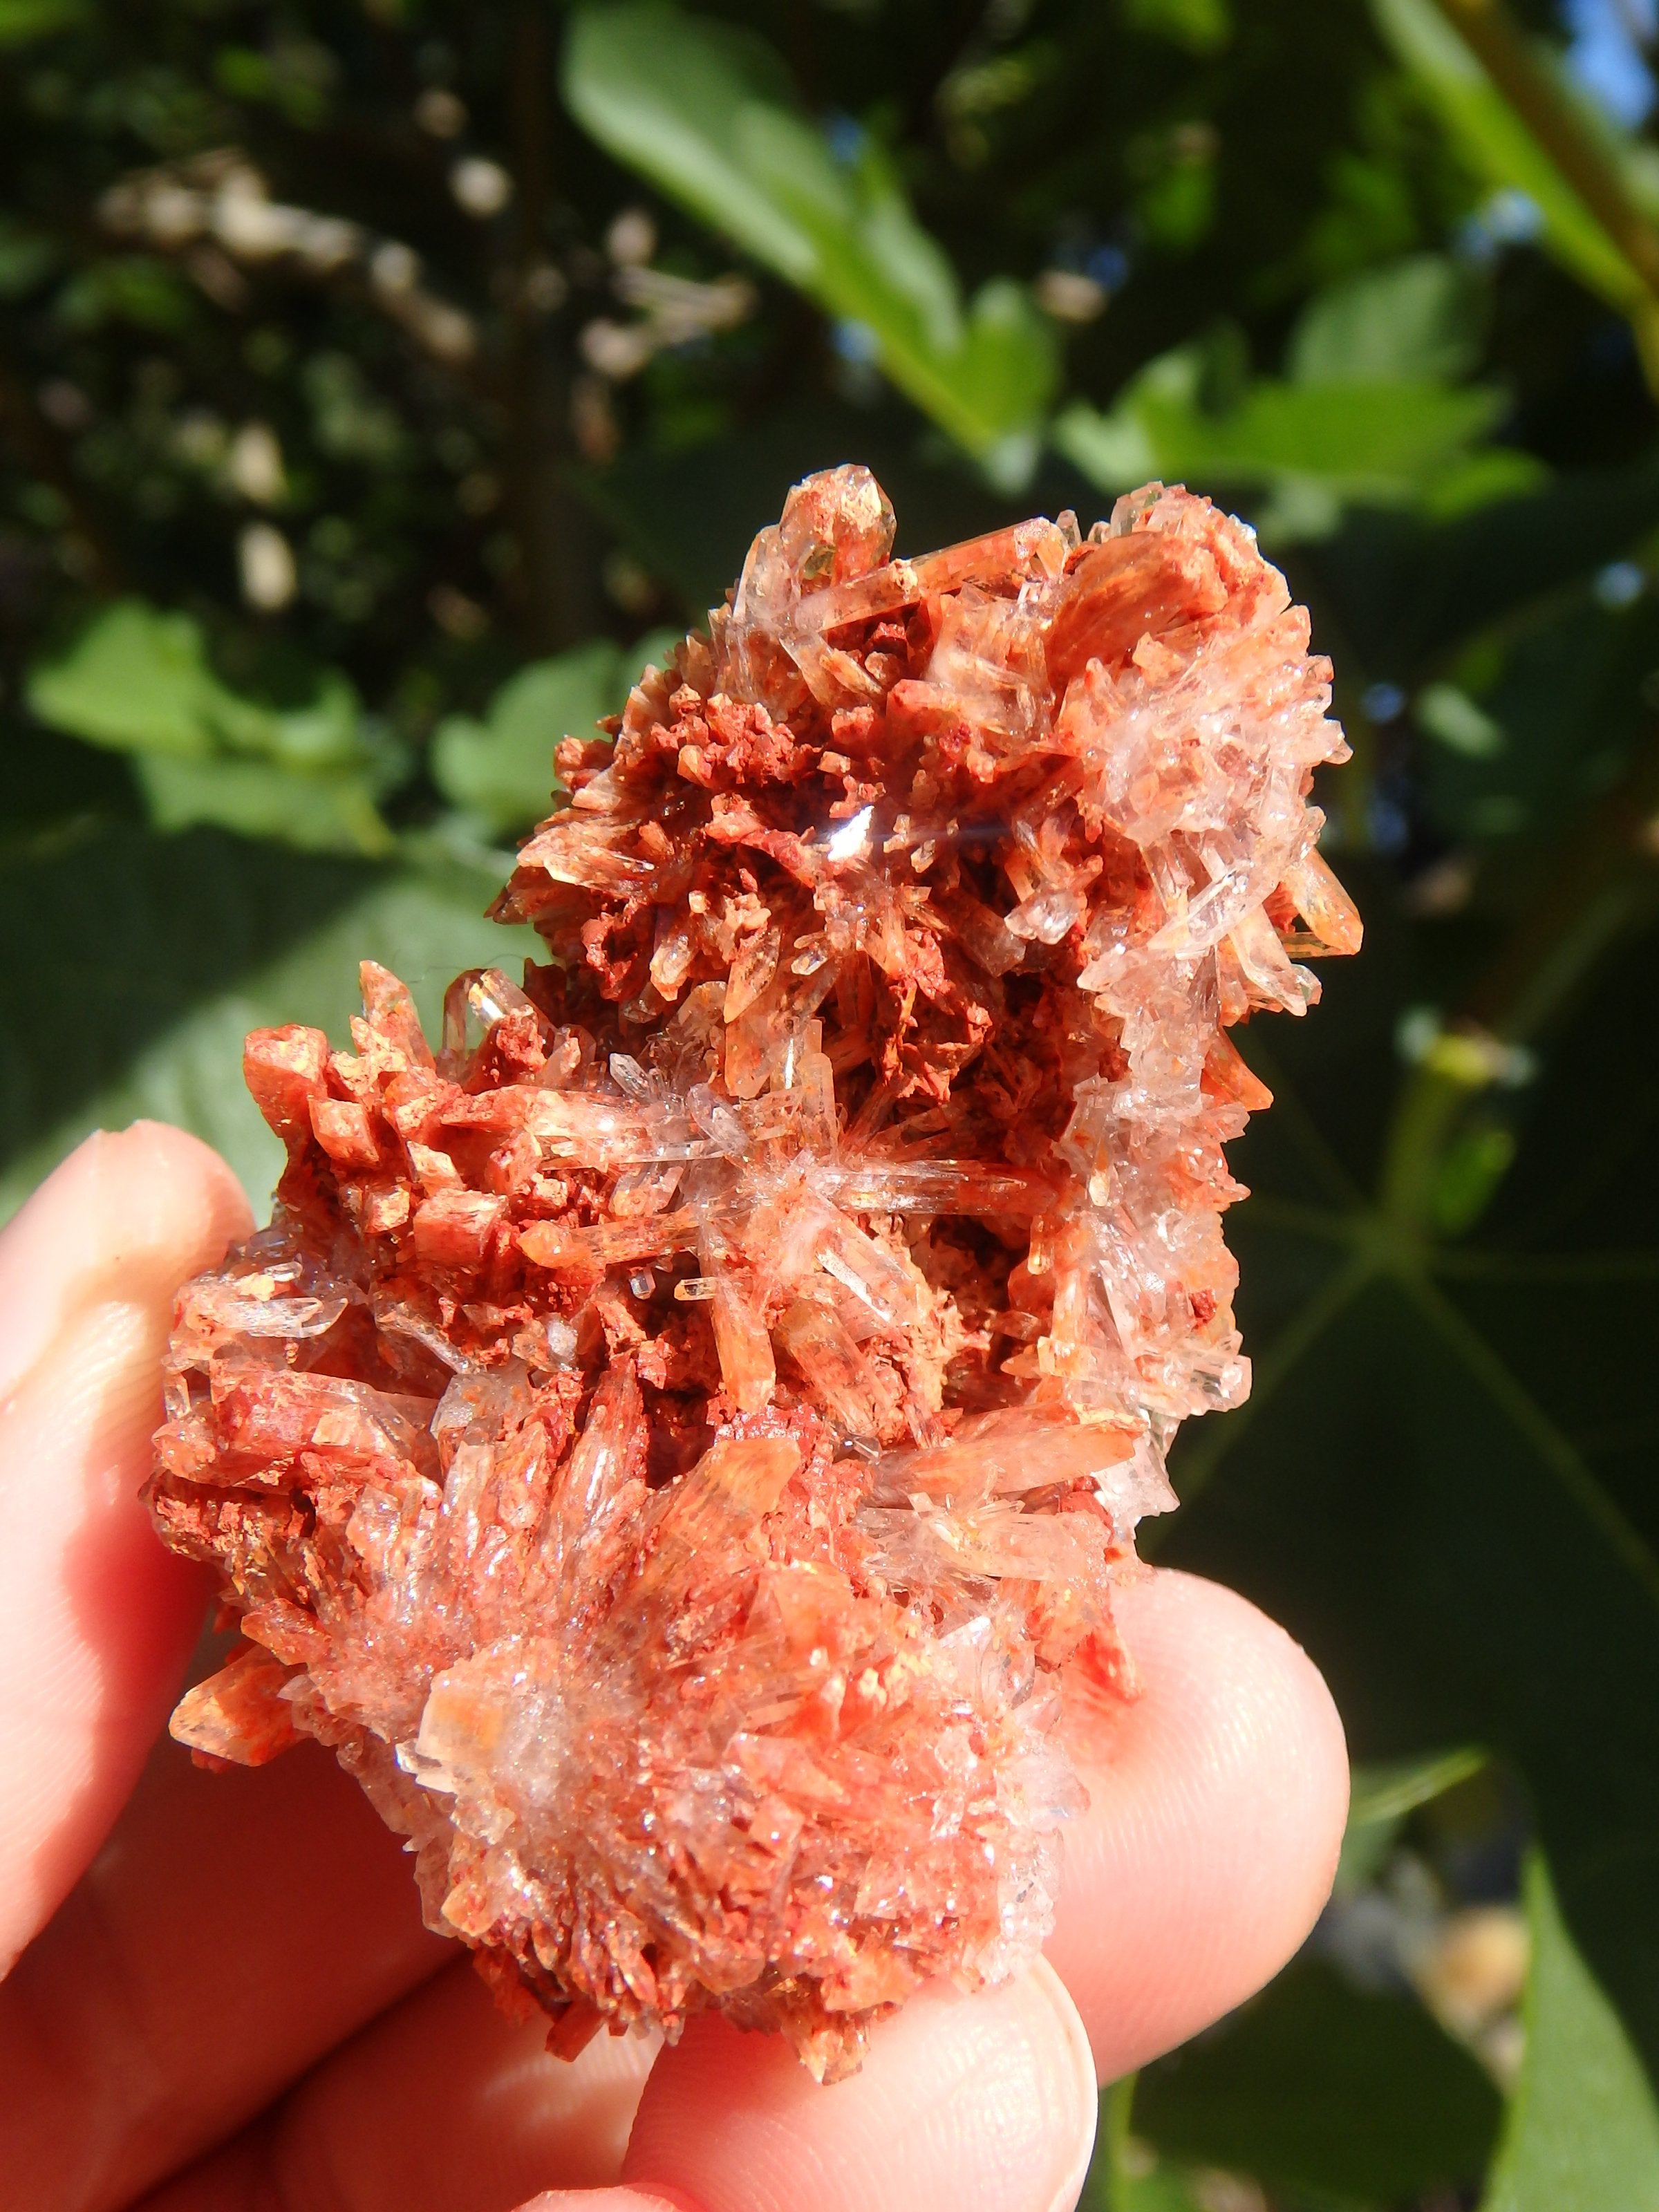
(382, 382)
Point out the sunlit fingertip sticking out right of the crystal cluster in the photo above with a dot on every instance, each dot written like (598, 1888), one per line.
(1218, 1806)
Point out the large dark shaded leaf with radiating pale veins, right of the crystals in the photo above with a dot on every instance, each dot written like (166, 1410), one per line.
(1443, 1481)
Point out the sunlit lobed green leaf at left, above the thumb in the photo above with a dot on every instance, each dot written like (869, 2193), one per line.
(138, 680)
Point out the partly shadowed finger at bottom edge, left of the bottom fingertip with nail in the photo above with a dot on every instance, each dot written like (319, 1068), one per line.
(437, 2103)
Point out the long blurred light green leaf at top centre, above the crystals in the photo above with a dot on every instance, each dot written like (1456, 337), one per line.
(705, 114)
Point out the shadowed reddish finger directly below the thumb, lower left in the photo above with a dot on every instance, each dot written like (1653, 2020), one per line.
(233, 1930)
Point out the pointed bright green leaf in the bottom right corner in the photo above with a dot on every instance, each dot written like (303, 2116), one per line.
(1583, 2131)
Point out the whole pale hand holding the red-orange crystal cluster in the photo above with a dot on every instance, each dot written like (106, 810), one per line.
(220, 1996)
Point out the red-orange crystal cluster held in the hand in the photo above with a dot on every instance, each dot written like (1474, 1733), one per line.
(674, 1434)
